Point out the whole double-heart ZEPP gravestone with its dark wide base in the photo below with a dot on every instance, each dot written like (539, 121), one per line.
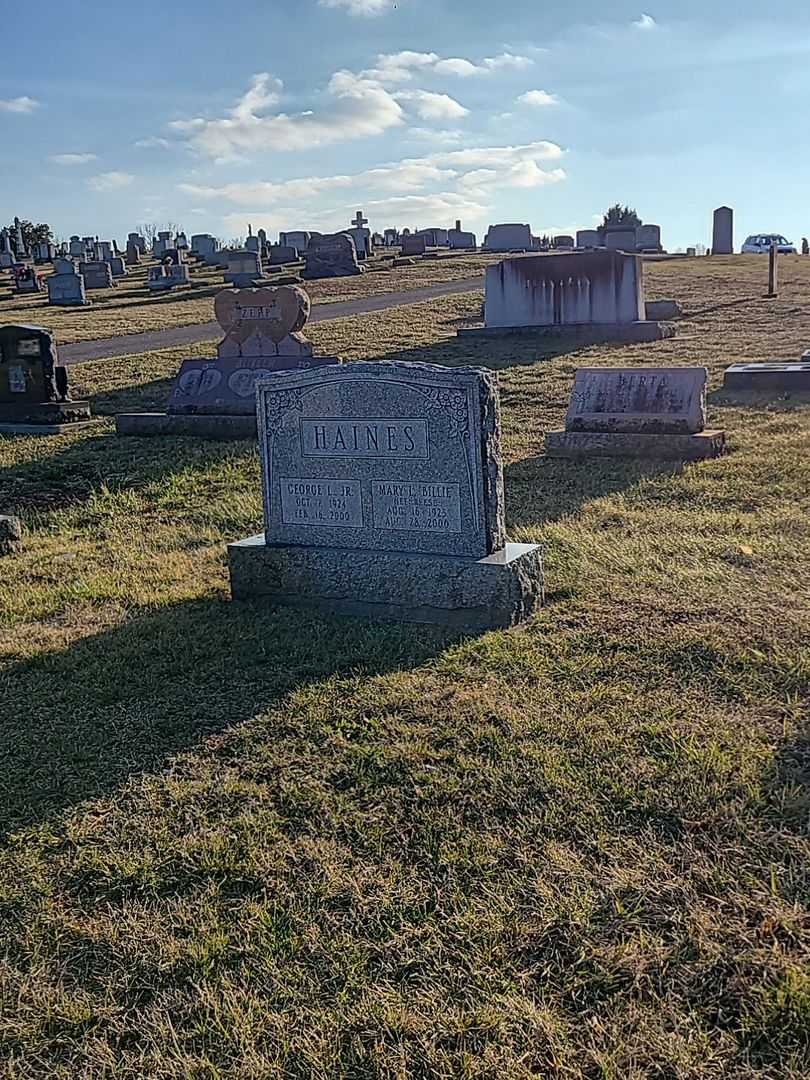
(217, 398)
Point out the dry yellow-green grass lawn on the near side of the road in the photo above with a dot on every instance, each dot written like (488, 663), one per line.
(240, 842)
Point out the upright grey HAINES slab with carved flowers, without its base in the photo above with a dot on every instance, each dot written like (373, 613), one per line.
(383, 455)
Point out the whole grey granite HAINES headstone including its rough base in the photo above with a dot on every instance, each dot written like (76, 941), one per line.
(384, 497)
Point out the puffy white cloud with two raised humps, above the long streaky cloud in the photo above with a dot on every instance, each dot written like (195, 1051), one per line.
(356, 107)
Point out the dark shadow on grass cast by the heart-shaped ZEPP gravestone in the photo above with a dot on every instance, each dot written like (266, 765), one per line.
(73, 475)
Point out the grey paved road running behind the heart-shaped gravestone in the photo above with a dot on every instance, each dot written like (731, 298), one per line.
(133, 344)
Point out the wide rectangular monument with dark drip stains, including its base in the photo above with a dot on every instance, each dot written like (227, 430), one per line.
(589, 295)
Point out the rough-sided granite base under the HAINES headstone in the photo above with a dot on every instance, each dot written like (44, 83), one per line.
(498, 591)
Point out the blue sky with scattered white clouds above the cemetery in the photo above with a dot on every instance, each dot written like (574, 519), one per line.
(293, 115)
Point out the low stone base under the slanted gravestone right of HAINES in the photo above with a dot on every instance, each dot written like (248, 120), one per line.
(585, 444)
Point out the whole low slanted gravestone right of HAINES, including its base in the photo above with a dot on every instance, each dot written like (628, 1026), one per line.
(638, 413)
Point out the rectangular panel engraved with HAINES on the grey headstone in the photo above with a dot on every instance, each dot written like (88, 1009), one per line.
(366, 438)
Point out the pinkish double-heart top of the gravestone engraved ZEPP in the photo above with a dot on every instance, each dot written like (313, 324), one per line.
(273, 313)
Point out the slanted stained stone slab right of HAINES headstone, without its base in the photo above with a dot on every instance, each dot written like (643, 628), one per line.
(654, 401)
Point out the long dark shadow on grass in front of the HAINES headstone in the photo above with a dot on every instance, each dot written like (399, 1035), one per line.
(77, 724)
